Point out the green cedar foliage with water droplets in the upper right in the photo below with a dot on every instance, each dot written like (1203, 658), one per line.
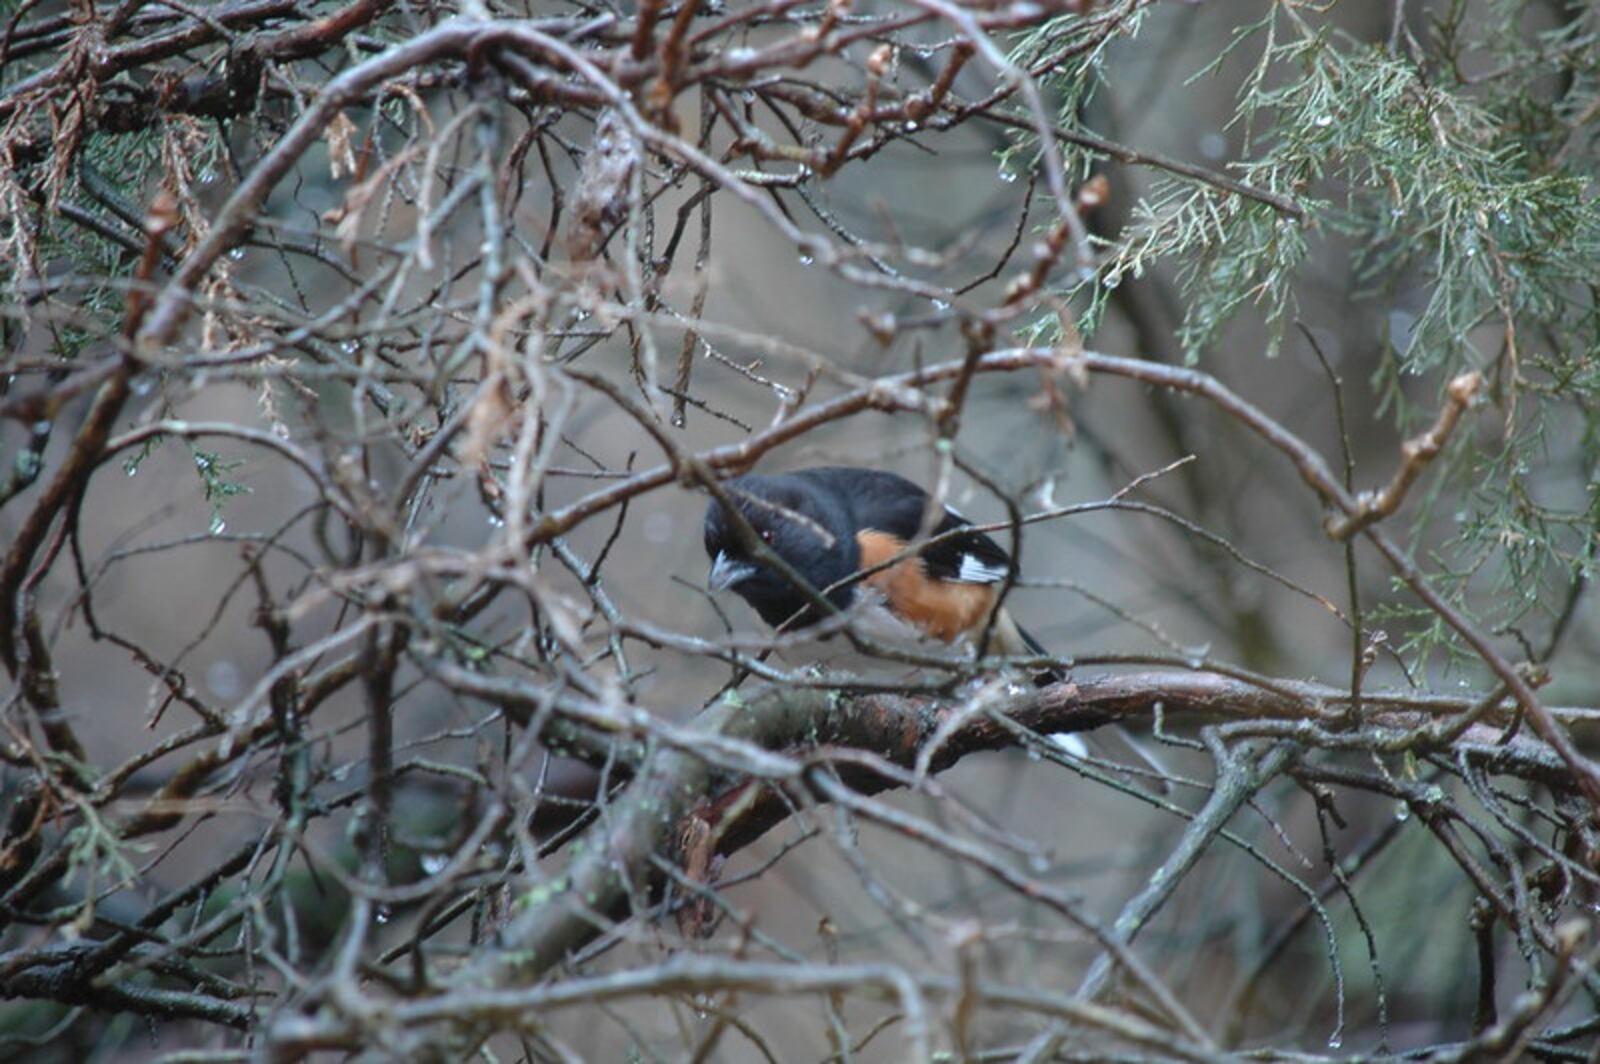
(1455, 161)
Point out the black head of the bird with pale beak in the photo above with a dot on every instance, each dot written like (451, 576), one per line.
(799, 522)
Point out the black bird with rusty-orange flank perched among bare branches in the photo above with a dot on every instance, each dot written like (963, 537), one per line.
(839, 529)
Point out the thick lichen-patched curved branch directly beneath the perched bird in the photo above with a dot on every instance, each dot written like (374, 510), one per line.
(676, 785)
